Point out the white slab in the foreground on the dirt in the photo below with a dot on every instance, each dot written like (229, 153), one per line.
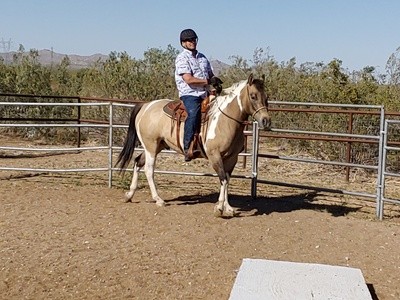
(279, 280)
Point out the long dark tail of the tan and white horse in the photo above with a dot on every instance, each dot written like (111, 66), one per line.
(126, 153)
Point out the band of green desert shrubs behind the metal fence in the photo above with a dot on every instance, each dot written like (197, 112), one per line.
(123, 77)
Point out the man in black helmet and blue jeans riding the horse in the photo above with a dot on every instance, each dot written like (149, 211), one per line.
(193, 72)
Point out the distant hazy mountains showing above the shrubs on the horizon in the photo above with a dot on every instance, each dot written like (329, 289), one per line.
(48, 57)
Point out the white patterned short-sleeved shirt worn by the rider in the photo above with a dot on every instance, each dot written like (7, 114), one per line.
(198, 66)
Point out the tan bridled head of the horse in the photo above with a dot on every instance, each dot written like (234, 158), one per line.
(256, 102)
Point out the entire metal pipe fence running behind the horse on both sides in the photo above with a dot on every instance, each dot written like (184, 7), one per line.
(380, 139)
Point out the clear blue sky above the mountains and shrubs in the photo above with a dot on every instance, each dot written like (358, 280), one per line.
(359, 32)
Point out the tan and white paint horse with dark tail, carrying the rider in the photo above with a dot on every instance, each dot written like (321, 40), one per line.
(222, 136)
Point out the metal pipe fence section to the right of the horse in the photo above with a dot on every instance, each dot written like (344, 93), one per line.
(379, 196)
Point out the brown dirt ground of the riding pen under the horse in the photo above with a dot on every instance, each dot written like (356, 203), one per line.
(68, 236)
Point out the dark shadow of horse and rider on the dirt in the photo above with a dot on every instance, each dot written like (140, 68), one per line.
(247, 206)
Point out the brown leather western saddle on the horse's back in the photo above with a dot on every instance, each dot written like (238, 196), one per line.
(177, 112)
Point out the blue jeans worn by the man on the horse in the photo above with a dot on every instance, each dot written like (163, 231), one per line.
(192, 123)
